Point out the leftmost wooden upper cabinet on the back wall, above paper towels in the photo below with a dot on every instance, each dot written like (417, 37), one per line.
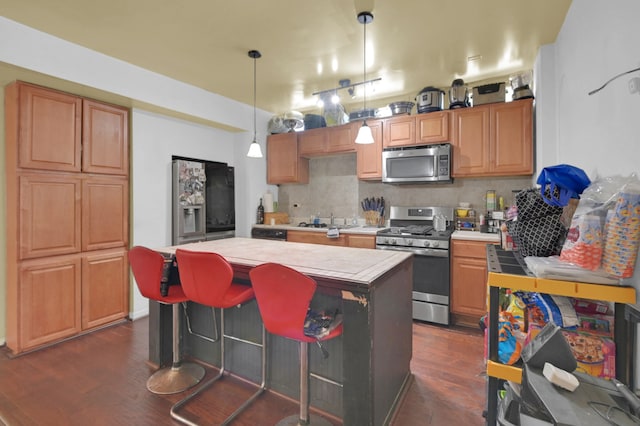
(284, 164)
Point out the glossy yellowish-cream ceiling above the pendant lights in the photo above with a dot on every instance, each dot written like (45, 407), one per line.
(410, 43)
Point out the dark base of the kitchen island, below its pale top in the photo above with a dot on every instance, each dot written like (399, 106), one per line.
(371, 359)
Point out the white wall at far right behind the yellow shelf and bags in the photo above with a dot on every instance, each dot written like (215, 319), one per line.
(598, 133)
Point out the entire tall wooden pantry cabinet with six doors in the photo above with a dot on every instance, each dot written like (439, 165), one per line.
(67, 188)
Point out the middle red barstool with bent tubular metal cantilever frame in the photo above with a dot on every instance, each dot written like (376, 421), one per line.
(207, 279)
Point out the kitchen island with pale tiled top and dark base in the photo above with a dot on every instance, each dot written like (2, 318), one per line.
(368, 365)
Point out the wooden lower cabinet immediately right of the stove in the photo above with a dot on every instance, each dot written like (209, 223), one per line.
(468, 281)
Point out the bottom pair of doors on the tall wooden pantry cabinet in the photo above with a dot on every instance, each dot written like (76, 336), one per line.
(62, 296)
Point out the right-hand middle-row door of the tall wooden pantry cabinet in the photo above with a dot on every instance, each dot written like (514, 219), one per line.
(105, 213)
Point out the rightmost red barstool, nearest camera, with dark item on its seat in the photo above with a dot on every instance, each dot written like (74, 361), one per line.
(283, 295)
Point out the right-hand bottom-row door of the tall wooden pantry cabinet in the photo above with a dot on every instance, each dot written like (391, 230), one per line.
(105, 287)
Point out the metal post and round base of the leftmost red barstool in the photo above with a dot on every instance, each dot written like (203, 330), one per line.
(181, 375)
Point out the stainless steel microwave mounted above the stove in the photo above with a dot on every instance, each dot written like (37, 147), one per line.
(419, 164)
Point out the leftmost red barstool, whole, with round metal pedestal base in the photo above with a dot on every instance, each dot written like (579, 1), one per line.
(147, 266)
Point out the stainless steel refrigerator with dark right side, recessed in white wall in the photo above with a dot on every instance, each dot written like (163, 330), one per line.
(203, 200)
